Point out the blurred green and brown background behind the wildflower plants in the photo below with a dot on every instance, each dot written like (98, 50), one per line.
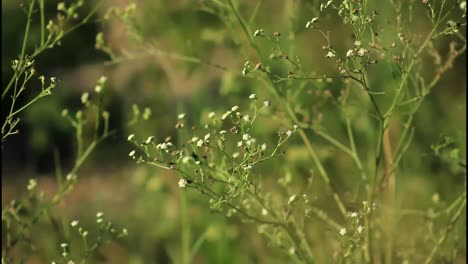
(147, 201)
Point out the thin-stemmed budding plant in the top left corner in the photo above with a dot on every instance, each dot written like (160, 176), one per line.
(24, 76)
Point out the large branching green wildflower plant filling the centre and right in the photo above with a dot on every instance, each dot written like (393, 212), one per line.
(218, 157)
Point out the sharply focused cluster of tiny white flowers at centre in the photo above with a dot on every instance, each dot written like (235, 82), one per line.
(225, 150)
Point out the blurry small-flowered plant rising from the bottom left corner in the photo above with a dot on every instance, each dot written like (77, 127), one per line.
(21, 216)
